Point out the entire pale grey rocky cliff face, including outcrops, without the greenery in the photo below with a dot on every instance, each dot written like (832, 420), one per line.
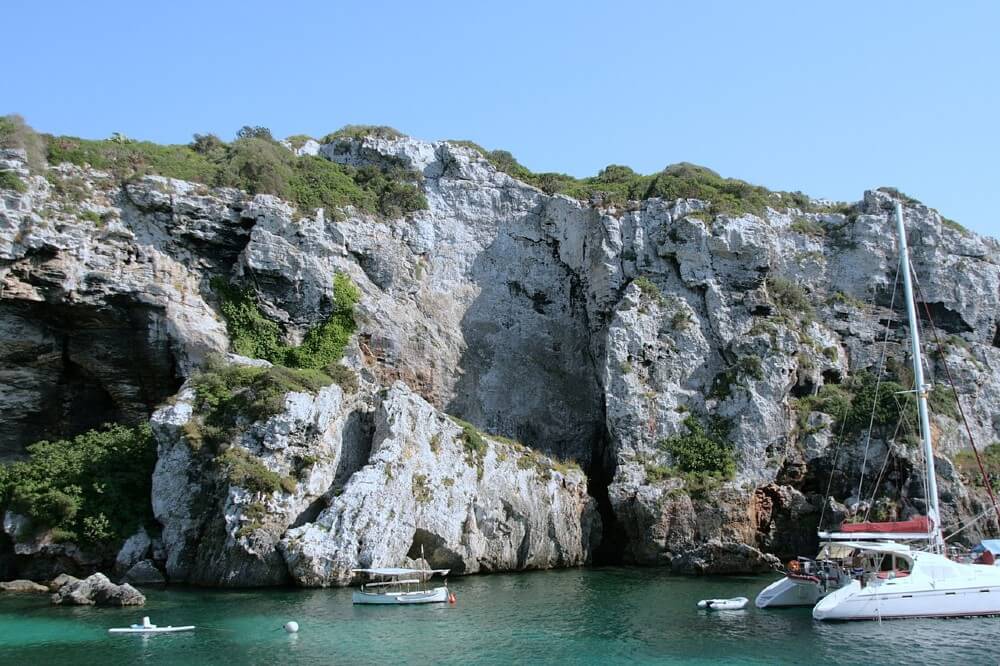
(595, 335)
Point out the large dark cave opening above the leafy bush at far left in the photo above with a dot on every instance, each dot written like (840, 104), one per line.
(68, 368)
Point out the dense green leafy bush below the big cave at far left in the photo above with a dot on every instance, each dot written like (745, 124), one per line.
(93, 489)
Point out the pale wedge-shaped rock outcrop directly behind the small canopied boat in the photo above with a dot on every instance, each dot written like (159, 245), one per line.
(434, 490)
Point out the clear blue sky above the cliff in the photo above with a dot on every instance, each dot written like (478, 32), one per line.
(830, 100)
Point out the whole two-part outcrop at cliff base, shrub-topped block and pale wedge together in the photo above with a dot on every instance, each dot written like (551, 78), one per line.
(409, 479)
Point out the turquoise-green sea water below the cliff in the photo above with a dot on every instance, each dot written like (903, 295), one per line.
(596, 616)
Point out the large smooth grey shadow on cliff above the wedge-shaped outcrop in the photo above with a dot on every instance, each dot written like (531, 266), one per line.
(526, 370)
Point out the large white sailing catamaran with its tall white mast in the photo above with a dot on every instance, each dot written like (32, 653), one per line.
(903, 583)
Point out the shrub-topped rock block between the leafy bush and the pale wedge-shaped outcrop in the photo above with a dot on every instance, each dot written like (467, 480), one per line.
(215, 532)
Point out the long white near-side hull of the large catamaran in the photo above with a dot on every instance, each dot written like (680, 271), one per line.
(850, 603)
